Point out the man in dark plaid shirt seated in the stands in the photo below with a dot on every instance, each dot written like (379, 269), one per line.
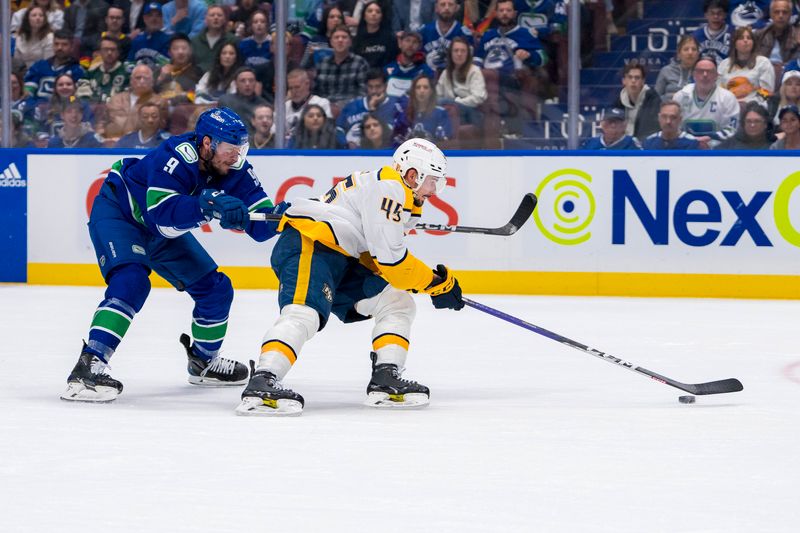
(342, 76)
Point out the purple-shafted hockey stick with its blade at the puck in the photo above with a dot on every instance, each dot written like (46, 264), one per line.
(698, 389)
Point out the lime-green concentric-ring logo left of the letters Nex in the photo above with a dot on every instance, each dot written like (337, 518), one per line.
(573, 206)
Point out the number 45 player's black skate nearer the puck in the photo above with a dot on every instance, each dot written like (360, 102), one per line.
(387, 389)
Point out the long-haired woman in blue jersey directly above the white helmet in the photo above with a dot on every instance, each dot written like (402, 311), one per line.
(423, 117)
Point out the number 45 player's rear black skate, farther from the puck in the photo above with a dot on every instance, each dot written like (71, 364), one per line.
(264, 396)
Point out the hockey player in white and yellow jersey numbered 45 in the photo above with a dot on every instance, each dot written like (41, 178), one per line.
(345, 253)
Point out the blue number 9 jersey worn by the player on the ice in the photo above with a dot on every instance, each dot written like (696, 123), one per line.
(160, 190)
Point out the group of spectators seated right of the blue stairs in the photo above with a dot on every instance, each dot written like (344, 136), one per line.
(734, 84)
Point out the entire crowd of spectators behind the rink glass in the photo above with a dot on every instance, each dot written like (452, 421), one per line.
(471, 74)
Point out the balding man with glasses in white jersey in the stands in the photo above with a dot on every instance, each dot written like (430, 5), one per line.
(710, 112)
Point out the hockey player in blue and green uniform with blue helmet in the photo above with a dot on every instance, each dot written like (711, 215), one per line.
(140, 222)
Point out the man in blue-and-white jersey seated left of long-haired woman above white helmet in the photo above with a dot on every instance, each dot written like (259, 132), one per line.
(377, 102)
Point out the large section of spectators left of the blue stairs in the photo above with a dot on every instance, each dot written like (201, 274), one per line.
(361, 73)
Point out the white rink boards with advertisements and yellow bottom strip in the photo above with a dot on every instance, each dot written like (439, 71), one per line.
(712, 225)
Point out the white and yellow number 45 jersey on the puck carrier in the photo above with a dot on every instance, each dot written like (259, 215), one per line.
(366, 216)
